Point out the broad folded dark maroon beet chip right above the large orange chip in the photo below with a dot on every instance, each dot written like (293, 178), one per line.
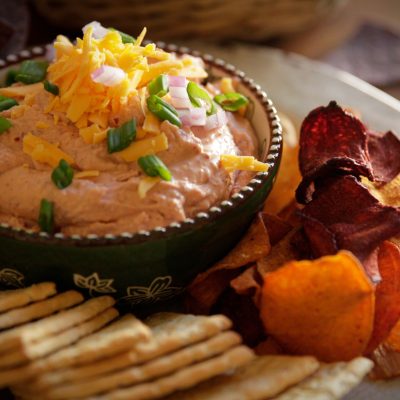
(351, 219)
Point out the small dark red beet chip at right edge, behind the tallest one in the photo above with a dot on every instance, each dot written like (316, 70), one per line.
(384, 153)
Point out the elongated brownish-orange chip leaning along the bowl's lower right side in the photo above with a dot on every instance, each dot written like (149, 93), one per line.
(204, 291)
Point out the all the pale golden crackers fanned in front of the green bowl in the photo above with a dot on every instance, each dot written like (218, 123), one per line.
(56, 346)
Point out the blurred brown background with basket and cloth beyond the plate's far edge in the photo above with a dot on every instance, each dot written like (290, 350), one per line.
(359, 36)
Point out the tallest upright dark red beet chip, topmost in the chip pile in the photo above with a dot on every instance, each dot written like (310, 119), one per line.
(331, 140)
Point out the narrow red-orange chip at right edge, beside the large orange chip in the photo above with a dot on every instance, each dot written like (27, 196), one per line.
(387, 306)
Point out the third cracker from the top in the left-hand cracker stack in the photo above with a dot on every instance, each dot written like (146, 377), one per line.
(58, 322)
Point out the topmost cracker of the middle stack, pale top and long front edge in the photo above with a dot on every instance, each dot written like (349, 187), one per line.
(168, 334)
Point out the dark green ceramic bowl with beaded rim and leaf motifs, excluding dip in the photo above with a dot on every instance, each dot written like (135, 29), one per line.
(147, 266)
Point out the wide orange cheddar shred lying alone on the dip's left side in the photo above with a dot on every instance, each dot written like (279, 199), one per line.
(42, 151)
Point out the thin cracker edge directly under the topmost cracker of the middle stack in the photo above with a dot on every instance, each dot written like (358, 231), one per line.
(162, 366)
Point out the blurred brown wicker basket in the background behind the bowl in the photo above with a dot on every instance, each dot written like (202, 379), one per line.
(251, 20)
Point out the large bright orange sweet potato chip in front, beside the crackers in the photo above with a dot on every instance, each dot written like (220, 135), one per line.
(323, 307)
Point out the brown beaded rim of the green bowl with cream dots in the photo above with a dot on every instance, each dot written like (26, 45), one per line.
(272, 157)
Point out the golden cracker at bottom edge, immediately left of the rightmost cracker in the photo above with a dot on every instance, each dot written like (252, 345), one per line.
(262, 378)
